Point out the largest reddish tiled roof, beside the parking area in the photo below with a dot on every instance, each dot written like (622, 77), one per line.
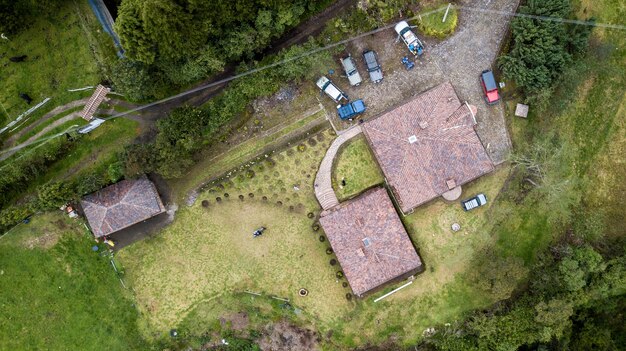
(426, 145)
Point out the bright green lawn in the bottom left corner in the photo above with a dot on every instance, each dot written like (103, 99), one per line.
(57, 294)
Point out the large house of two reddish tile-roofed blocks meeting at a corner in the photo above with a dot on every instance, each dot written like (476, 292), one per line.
(426, 148)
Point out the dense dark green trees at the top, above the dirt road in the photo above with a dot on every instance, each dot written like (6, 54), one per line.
(173, 44)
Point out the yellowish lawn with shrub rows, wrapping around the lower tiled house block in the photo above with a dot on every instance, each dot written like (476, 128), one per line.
(221, 259)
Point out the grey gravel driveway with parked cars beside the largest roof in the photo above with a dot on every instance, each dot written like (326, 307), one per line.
(459, 59)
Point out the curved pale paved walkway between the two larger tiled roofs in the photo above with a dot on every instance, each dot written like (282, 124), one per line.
(323, 180)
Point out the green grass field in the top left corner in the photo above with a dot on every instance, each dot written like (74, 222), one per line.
(65, 49)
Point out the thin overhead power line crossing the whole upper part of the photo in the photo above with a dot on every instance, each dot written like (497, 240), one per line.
(330, 46)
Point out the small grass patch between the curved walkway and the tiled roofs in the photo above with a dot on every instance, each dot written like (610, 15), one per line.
(356, 165)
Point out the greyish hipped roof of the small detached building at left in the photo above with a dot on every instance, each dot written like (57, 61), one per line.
(121, 205)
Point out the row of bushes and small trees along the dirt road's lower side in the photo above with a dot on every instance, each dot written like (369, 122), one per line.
(187, 130)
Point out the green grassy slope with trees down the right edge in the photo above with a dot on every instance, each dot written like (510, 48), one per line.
(562, 195)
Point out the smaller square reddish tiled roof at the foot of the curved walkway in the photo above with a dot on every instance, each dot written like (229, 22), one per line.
(370, 241)
